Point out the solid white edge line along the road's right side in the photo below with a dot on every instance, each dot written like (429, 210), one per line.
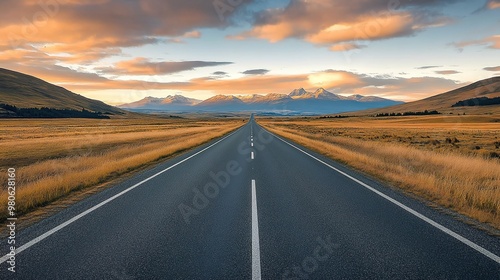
(453, 234)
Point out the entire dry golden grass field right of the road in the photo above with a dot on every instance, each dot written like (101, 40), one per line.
(449, 160)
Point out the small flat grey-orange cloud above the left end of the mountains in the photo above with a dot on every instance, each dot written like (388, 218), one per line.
(143, 66)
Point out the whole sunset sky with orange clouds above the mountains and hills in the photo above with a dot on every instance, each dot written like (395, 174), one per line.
(120, 51)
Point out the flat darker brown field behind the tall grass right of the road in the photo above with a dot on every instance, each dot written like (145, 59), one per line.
(464, 135)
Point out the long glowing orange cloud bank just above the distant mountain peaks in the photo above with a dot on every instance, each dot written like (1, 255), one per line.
(405, 89)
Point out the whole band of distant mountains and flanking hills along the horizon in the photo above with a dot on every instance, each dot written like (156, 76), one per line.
(25, 91)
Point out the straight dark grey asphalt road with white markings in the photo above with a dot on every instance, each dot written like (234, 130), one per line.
(251, 206)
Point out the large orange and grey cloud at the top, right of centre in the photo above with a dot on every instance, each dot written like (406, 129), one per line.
(327, 22)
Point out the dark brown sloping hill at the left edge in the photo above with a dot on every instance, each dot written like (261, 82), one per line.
(25, 91)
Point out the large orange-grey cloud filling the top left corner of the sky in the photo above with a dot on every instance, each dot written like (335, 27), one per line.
(93, 29)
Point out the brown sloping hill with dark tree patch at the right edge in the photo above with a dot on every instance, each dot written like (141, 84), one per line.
(447, 102)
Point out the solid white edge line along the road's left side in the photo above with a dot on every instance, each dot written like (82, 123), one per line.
(84, 213)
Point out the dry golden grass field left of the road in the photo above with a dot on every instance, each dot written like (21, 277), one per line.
(55, 157)
